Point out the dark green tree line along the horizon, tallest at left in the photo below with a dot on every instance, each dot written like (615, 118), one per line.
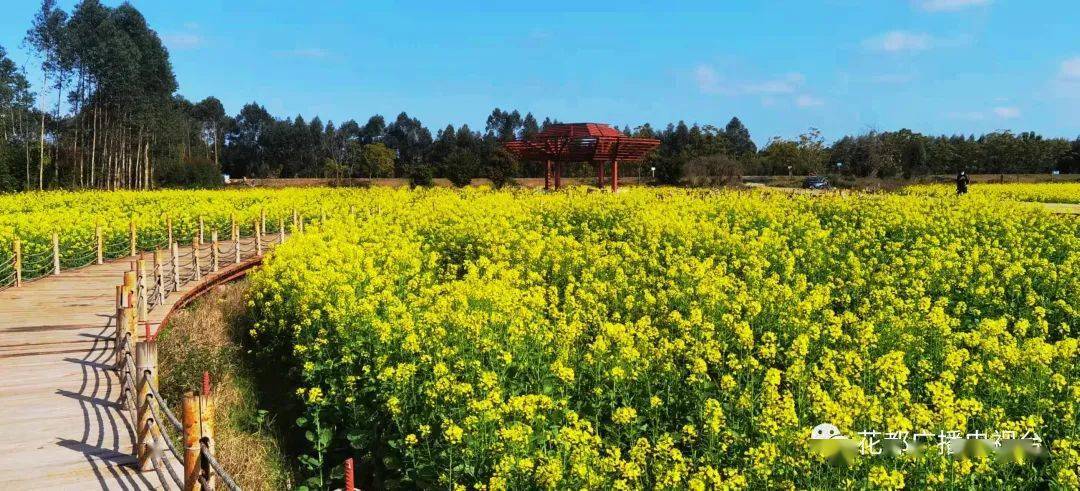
(109, 117)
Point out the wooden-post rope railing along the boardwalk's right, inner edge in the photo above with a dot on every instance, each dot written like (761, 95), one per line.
(144, 291)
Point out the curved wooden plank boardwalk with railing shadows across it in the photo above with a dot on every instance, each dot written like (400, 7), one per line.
(60, 414)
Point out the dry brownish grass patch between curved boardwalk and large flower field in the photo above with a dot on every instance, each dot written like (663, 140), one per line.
(209, 337)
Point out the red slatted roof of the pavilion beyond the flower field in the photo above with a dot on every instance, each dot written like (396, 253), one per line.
(583, 143)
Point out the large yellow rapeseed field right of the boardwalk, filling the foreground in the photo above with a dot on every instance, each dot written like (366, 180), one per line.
(678, 339)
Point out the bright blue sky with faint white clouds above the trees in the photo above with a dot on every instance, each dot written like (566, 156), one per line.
(843, 66)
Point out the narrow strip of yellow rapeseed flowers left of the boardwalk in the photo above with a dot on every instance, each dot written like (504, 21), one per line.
(74, 217)
